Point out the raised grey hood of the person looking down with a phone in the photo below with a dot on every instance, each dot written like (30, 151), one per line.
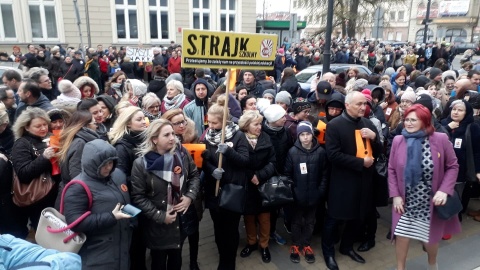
(95, 155)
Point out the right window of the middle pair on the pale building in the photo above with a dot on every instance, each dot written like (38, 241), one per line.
(158, 12)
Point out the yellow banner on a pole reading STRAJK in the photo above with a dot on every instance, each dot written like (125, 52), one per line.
(201, 48)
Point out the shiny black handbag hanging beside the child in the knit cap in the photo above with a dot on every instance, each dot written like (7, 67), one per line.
(276, 191)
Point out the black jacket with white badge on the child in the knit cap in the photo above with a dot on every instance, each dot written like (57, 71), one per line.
(310, 187)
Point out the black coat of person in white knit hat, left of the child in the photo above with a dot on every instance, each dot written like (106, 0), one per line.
(281, 141)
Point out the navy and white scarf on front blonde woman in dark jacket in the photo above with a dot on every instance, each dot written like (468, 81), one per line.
(167, 167)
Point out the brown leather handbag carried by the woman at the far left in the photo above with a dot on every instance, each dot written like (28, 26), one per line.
(27, 194)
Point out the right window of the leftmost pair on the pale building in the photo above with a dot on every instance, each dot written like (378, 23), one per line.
(43, 19)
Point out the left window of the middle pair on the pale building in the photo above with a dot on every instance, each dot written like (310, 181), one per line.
(126, 14)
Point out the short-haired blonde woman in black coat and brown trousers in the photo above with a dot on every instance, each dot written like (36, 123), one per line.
(261, 167)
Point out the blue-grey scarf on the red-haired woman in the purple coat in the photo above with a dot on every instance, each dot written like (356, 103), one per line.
(412, 172)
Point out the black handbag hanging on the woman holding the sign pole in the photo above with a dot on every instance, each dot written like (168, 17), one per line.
(233, 197)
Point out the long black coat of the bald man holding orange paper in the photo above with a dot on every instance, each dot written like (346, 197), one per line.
(351, 186)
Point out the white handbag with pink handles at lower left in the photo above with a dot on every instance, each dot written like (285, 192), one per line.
(53, 232)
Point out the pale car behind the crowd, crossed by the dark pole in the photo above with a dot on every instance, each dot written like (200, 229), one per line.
(306, 76)
